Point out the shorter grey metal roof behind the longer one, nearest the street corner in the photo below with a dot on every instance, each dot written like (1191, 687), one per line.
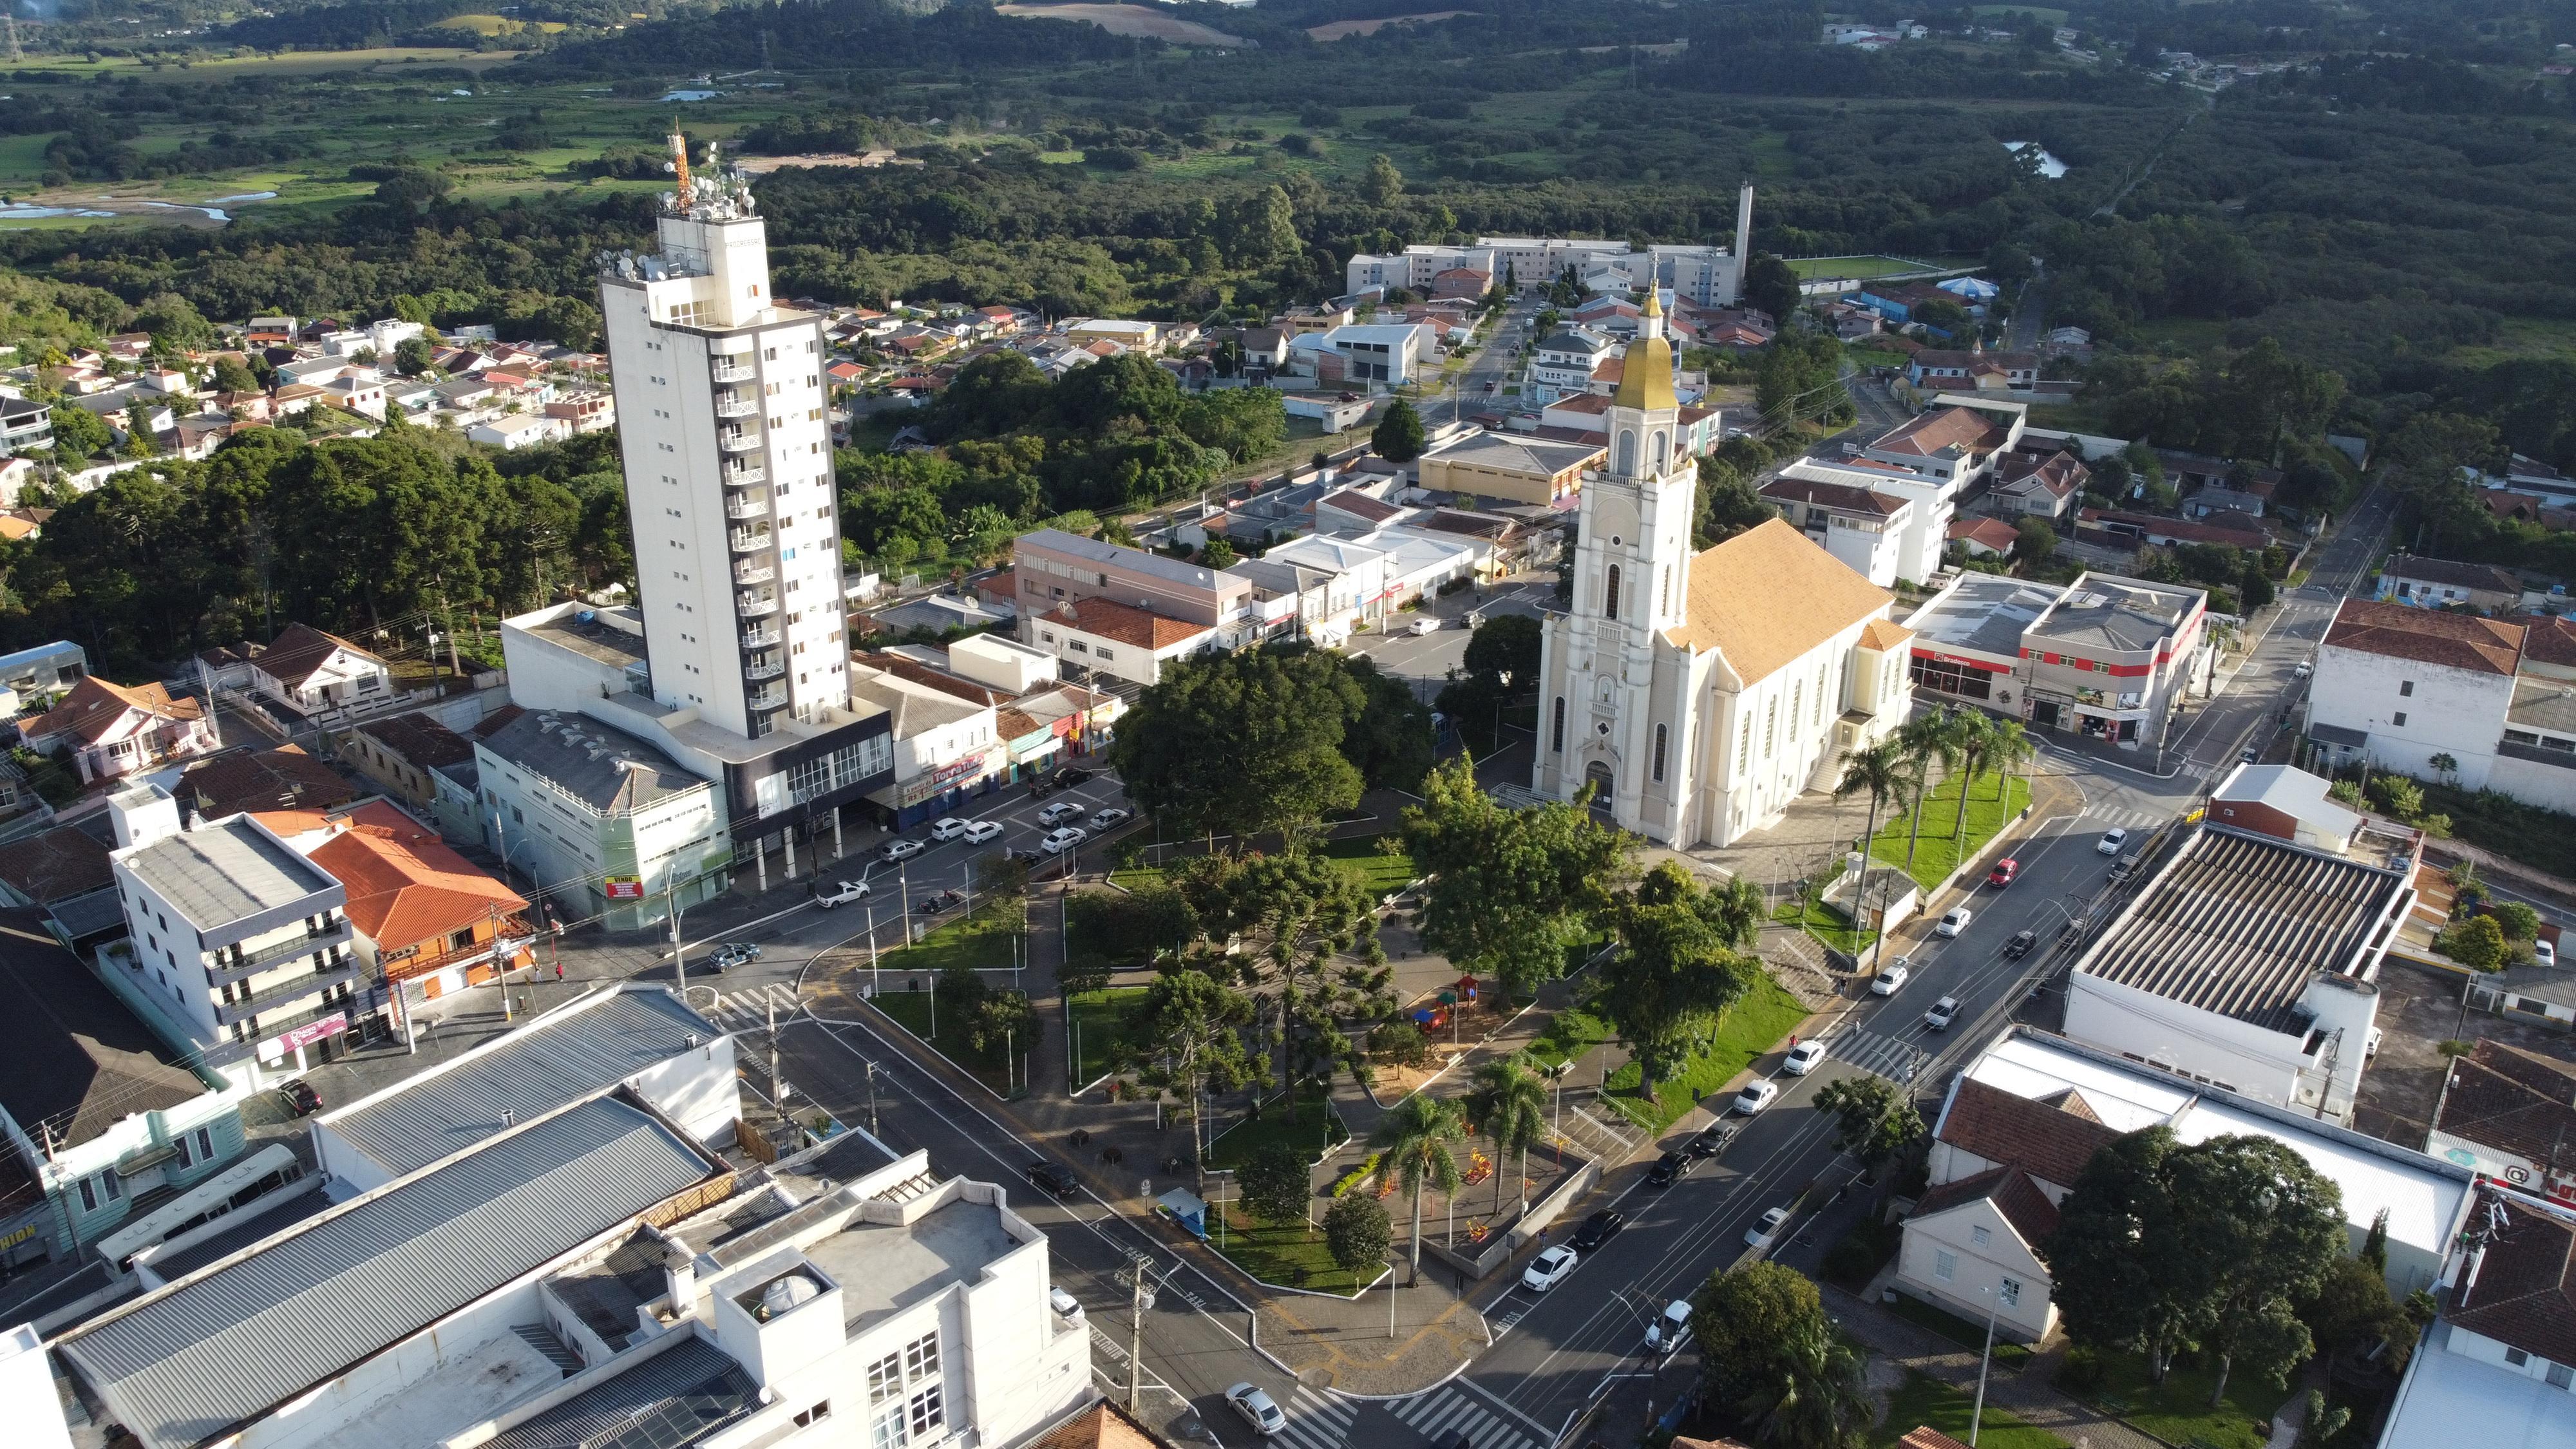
(527, 1074)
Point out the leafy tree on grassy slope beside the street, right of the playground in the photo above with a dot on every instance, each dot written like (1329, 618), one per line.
(1673, 973)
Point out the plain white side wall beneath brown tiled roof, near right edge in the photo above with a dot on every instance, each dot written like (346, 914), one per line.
(2446, 710)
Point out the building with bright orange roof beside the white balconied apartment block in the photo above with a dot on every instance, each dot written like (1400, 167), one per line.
(426, 919)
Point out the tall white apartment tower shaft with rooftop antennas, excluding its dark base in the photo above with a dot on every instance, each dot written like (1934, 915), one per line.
(728, 468)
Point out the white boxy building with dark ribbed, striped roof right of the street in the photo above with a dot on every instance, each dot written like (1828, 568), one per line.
(2250, 963)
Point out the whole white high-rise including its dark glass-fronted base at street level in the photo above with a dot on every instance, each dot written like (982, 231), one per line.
(728, 445)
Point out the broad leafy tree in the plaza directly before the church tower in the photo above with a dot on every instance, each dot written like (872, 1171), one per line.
(1511, 891)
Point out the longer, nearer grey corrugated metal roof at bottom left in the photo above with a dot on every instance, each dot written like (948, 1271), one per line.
(225, 1347)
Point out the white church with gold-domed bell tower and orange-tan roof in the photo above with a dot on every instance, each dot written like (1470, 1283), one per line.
(1704, 692)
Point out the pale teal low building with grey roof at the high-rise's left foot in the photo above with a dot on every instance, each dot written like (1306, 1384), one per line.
(607, 824)
